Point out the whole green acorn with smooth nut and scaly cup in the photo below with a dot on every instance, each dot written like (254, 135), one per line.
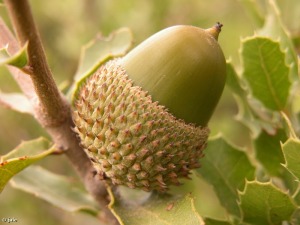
(142, 119)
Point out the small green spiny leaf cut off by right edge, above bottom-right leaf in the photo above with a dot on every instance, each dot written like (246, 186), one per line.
(291, 152)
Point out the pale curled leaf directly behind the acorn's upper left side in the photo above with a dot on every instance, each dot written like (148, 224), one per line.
(98, 52)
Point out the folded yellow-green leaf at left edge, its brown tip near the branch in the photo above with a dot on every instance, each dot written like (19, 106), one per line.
(25, 154)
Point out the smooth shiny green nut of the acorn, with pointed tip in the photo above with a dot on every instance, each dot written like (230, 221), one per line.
(183, 68)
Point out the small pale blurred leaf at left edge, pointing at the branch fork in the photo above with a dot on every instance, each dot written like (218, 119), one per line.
(17, 102)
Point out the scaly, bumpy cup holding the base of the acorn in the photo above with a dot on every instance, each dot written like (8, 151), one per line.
(131, 139)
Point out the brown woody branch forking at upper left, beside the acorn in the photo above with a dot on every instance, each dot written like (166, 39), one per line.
(50, 108)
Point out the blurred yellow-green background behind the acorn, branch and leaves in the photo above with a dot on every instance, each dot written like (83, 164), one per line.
(67, 25)
